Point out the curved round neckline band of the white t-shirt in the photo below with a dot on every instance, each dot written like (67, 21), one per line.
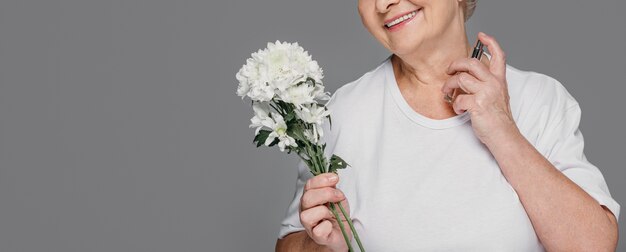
(412, 114)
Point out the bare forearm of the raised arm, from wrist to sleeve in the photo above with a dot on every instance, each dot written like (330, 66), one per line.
(563, 215)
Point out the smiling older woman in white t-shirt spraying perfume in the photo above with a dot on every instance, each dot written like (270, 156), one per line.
(502, 168)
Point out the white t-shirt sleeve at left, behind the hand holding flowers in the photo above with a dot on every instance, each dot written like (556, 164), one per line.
(291, 221)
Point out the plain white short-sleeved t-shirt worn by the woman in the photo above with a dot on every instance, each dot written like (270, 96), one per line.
(420, 184)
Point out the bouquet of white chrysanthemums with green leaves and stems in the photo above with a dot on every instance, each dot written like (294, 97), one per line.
(285, 84)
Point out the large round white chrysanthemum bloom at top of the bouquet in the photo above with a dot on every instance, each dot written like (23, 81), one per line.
(275, 69)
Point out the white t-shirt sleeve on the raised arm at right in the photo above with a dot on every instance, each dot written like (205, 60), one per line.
(565, 151)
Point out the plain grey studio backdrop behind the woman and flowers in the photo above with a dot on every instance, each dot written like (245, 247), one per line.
(120, 129)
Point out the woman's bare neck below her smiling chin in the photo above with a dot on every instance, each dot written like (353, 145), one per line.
(426, 66)
